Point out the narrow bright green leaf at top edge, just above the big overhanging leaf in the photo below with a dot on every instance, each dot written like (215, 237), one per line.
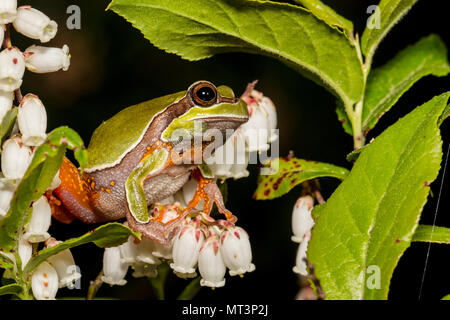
(328, 15)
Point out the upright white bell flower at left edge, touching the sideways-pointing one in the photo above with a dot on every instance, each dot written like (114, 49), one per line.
(12, 68)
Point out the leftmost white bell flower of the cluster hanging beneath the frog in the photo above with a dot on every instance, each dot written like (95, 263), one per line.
(114, 270)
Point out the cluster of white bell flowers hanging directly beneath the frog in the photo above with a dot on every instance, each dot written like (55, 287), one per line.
(211, 245)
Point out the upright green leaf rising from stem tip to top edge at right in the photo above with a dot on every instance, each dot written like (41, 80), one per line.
(391, 11)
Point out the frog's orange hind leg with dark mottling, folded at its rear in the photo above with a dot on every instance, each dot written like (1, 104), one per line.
(70, 199)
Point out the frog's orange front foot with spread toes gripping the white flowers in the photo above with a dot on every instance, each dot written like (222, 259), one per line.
(209, 192)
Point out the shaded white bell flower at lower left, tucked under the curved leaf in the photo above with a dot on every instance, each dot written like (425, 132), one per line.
(64, 265)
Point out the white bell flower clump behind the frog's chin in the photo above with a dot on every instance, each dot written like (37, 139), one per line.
(231, 159)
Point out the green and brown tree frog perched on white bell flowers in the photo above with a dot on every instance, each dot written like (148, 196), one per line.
(131, 163)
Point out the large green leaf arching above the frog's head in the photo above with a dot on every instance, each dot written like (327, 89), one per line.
(198, 29)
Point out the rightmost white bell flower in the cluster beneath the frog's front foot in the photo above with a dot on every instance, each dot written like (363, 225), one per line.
(236, 251)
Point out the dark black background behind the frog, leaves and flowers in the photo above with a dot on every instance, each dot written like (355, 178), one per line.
(113, 66)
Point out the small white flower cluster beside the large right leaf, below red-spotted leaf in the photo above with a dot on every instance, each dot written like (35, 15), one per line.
(302, 223)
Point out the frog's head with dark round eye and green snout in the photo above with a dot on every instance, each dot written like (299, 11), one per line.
(207, 107)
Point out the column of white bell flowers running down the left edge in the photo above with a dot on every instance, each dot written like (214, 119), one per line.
(28, 133)
